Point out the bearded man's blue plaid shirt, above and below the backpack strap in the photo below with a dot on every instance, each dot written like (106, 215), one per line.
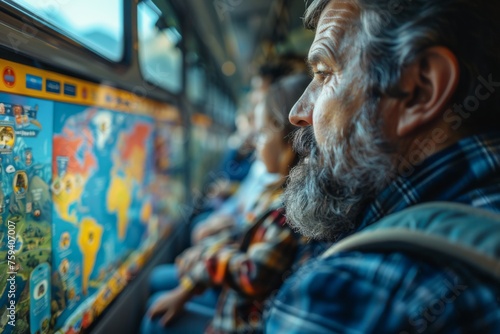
(354, 292)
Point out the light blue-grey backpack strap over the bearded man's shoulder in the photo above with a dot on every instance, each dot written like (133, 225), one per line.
(439, 230)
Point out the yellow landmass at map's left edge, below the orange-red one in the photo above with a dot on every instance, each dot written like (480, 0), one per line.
(70, 192)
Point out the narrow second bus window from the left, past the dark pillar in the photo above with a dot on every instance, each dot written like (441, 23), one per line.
(160, 57)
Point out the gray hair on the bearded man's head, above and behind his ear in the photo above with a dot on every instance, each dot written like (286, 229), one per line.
(392, 34)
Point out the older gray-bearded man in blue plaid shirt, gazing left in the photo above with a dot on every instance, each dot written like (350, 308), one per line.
(403, 109)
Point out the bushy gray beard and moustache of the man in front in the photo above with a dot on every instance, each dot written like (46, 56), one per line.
(329, 188)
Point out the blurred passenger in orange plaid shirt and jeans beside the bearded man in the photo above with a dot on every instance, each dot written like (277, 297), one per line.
(250, 265)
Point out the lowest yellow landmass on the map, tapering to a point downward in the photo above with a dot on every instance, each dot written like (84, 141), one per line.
(89, 241)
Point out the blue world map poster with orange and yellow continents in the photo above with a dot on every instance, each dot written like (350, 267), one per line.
(103, 170)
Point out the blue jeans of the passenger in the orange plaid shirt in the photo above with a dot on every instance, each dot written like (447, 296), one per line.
(198, 311)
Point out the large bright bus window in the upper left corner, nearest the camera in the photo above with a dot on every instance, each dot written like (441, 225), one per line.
(96, 24)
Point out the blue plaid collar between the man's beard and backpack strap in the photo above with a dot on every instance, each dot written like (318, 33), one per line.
(449, 175)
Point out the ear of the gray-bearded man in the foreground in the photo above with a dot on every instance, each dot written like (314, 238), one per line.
(430, 83)
